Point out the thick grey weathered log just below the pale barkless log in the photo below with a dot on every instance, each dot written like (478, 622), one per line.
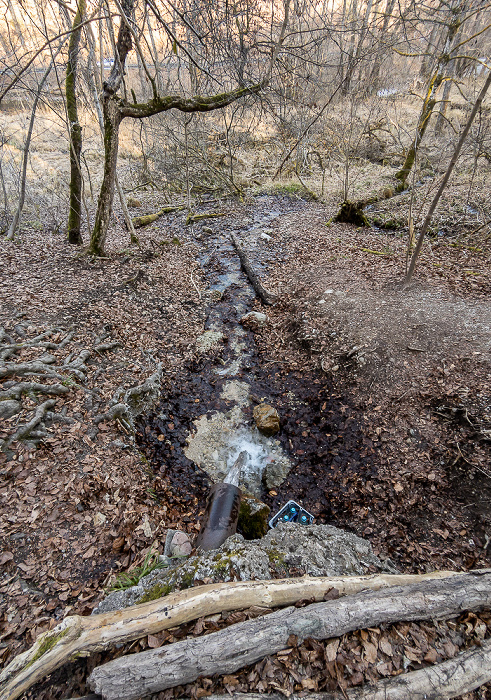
(224, 652)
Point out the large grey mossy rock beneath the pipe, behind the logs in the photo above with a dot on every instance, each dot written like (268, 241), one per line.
(287, 551)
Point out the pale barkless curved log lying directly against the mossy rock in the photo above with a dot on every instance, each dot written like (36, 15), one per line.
(81, 636)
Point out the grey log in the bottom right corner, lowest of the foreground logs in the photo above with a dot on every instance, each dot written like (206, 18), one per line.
(449, 679)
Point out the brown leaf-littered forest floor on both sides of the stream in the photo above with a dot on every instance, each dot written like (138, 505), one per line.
(391, 429)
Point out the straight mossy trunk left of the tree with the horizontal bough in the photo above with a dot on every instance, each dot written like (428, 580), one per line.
(75, 210)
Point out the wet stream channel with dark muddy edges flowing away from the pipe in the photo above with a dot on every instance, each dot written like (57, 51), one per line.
(205, 420)
